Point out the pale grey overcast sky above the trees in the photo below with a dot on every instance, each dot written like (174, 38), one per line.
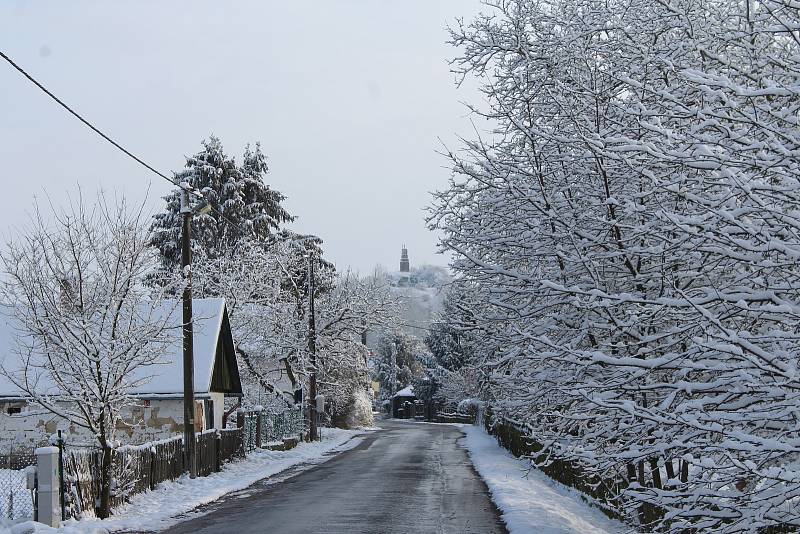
(348, 97)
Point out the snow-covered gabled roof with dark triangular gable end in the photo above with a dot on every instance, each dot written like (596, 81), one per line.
(215, 367)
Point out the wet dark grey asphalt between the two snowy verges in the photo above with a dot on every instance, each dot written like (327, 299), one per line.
(407, 478)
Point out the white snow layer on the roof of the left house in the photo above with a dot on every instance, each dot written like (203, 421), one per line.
(166, 378)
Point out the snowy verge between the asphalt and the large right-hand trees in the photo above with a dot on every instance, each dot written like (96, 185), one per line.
(529, 501)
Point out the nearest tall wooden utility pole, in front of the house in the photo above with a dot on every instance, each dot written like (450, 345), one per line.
(188, 336)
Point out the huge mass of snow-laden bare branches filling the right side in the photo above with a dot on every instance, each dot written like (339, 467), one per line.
(627, 236)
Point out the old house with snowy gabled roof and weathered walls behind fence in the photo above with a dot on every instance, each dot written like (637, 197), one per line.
(157, 410)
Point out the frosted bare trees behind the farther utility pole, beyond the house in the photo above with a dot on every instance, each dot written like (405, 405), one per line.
(266, 287)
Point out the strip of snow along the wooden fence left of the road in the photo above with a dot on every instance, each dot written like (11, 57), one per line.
(156, 510)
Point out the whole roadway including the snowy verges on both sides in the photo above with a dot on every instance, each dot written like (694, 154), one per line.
(407, 477)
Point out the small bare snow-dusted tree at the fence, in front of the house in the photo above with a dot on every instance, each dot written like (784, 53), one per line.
(88, 329)
